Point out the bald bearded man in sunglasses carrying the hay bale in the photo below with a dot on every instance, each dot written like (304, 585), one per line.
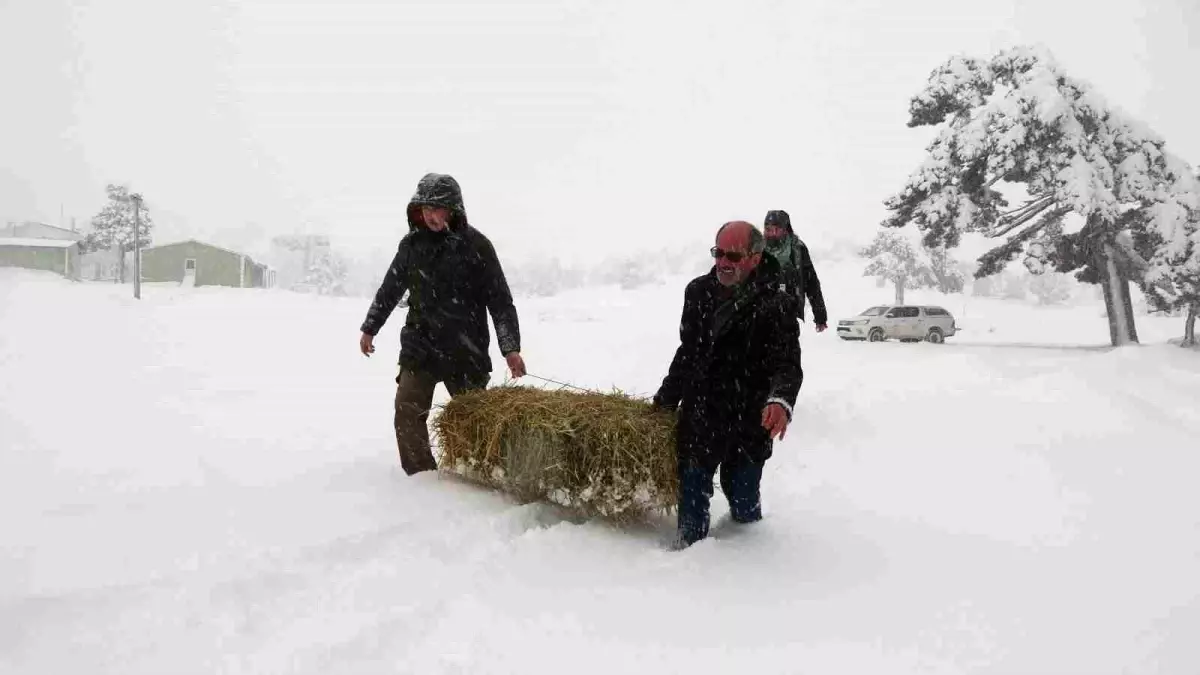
(735, 380)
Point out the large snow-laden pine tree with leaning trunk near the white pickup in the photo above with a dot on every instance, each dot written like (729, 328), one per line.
(1018, 121)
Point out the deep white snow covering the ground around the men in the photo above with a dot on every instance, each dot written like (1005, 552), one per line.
(206, 481)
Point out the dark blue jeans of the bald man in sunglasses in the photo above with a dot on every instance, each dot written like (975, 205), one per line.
(741, 479)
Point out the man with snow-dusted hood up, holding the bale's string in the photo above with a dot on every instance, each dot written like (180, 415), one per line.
(454, 279)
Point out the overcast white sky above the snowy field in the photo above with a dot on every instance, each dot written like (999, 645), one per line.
(575, 128)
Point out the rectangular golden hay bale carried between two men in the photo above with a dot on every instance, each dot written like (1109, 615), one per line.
(603, 455)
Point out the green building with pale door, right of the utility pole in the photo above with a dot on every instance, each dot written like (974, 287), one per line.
(196, 264)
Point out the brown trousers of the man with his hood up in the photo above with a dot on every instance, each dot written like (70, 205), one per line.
(415, 398)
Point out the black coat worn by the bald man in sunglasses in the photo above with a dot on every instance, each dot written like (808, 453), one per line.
(736, 355)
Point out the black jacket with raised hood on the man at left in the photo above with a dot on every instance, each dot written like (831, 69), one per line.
(454, 279)
